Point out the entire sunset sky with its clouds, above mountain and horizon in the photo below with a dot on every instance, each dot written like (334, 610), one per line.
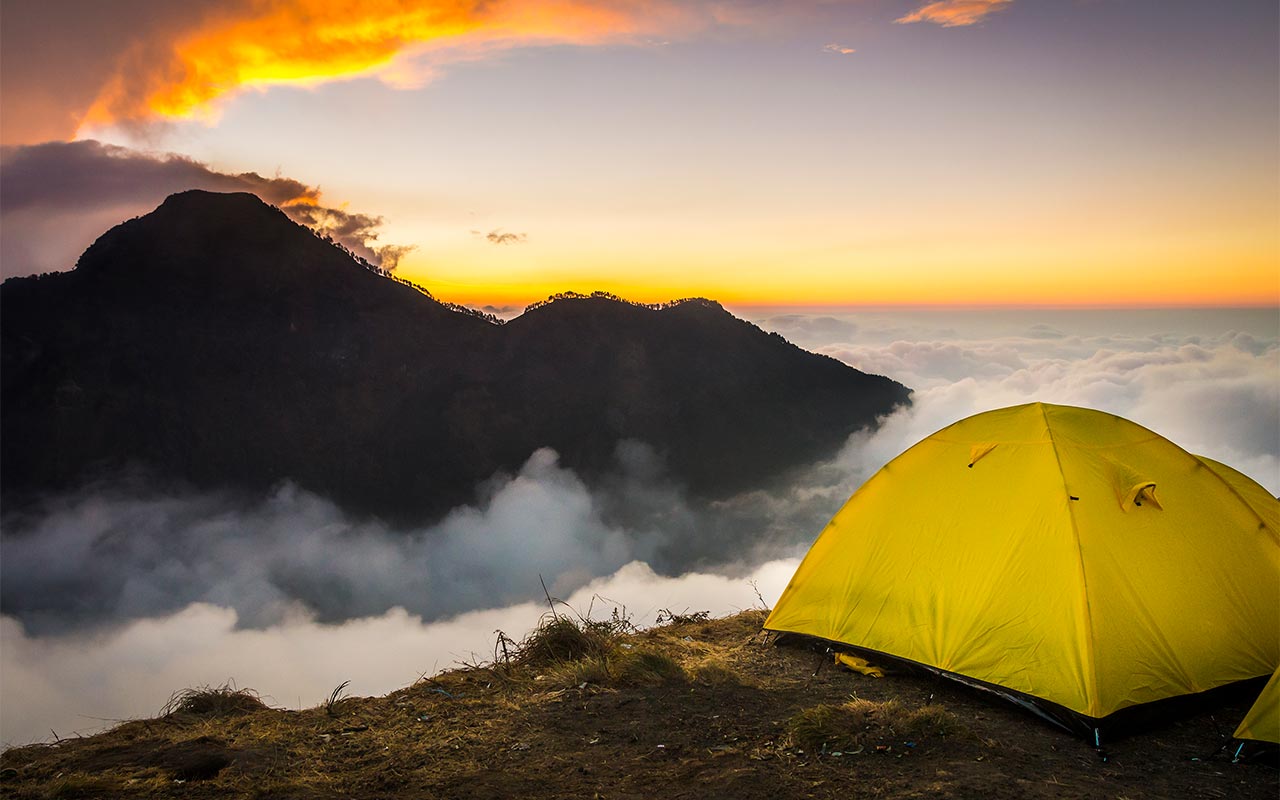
(1098, 153)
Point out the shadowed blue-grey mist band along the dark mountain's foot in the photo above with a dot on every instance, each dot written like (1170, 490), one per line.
(111, 555)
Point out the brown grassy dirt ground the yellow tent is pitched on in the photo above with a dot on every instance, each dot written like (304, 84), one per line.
(691, 710)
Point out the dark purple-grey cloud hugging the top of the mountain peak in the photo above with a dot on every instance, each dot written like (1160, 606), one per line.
(57, 198)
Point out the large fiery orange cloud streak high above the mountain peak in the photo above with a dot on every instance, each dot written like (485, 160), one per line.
(269, 43)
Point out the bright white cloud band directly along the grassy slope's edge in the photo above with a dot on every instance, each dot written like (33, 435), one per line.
(81, 684)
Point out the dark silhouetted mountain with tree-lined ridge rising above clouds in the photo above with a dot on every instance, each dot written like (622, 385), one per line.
(217, 342)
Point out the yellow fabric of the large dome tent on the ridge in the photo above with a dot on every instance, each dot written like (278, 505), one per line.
(1048, 568)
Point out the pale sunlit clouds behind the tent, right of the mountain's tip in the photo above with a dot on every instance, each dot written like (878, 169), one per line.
(1212, 394)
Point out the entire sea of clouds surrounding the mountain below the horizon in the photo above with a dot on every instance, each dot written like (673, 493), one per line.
(116, 597)
